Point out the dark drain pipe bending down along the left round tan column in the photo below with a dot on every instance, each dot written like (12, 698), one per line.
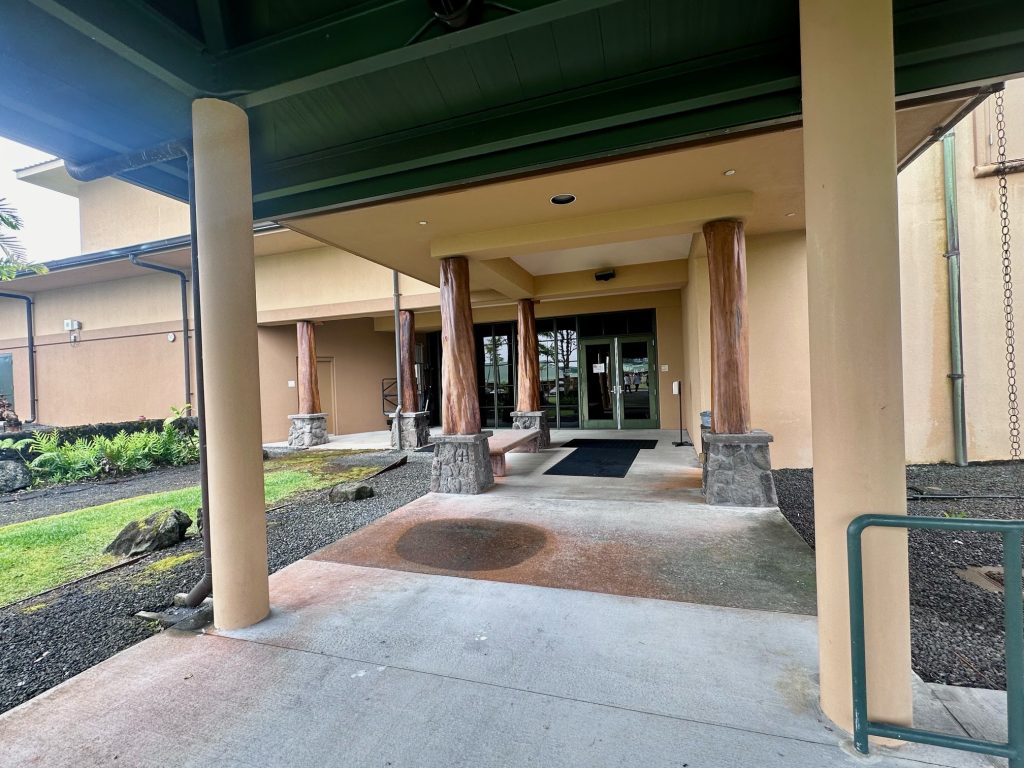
(120, 164)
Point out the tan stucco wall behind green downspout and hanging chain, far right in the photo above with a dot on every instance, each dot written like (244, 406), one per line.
(924, 285)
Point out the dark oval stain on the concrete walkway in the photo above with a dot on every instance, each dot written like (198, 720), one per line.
(471, 544)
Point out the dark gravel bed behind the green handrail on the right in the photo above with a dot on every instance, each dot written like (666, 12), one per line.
(957, 627)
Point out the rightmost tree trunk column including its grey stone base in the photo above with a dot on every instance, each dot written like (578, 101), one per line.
(738, 461)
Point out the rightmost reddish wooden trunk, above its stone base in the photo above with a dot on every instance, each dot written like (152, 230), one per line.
(730, 333)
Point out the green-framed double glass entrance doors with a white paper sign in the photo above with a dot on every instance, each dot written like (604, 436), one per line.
(620, 383)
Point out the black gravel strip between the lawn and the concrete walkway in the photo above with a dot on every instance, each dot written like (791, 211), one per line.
(48, 641)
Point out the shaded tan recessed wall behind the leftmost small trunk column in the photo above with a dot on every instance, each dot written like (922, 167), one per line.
(362, 358)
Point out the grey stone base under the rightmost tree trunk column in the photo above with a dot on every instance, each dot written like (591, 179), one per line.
(738, 471)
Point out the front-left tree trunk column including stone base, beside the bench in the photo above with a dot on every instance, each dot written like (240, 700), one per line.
(462, 461)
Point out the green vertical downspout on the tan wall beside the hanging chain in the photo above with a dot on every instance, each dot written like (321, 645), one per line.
(956, 311)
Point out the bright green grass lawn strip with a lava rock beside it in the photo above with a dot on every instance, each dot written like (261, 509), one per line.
(40, 554)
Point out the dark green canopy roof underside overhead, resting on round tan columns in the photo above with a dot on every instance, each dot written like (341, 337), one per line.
(352, 102)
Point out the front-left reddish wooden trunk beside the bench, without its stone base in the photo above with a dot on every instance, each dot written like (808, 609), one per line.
(460, 404)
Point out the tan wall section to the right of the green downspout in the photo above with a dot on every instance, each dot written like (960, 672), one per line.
(985, 351)
